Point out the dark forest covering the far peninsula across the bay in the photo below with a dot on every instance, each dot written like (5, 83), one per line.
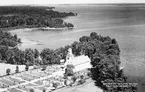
(31, 16)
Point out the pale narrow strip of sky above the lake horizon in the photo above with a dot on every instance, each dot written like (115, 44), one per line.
(45, 2)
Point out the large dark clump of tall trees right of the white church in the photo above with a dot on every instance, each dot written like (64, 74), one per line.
(105, 61)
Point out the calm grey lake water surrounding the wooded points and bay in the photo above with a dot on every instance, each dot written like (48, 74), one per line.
(124, 23)
